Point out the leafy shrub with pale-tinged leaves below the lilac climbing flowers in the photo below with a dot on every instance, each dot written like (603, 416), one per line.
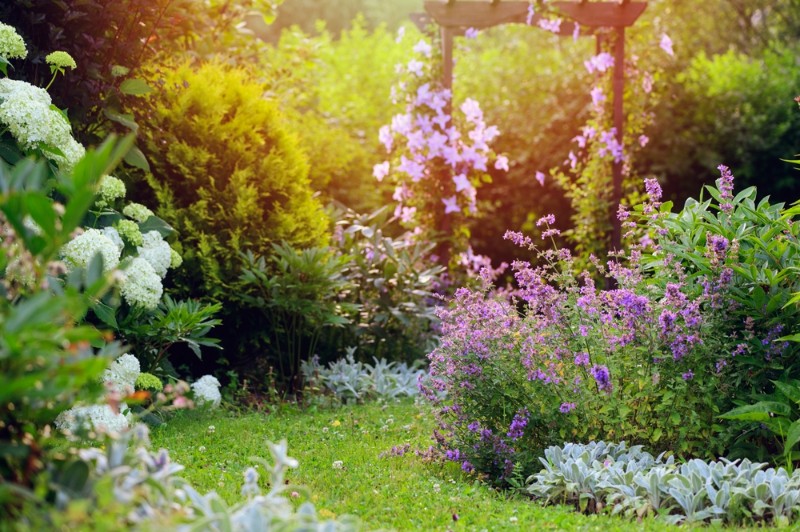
(392, 282)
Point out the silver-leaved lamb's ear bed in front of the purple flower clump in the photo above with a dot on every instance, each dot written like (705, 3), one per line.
(634, 484)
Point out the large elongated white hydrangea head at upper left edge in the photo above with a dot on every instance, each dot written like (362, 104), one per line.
(27, 113)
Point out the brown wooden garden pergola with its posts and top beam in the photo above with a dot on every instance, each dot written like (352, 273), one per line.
(454, 18)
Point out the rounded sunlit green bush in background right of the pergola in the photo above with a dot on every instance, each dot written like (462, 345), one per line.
(734, 107)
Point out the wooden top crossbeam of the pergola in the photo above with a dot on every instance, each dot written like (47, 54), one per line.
(480, 15)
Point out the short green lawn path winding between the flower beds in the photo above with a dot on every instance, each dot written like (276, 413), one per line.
(394, 492)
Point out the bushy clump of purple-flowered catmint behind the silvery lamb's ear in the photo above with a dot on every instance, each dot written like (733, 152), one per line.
(560, 357)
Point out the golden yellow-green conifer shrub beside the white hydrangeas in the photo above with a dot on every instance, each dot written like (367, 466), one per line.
(226, 172)
